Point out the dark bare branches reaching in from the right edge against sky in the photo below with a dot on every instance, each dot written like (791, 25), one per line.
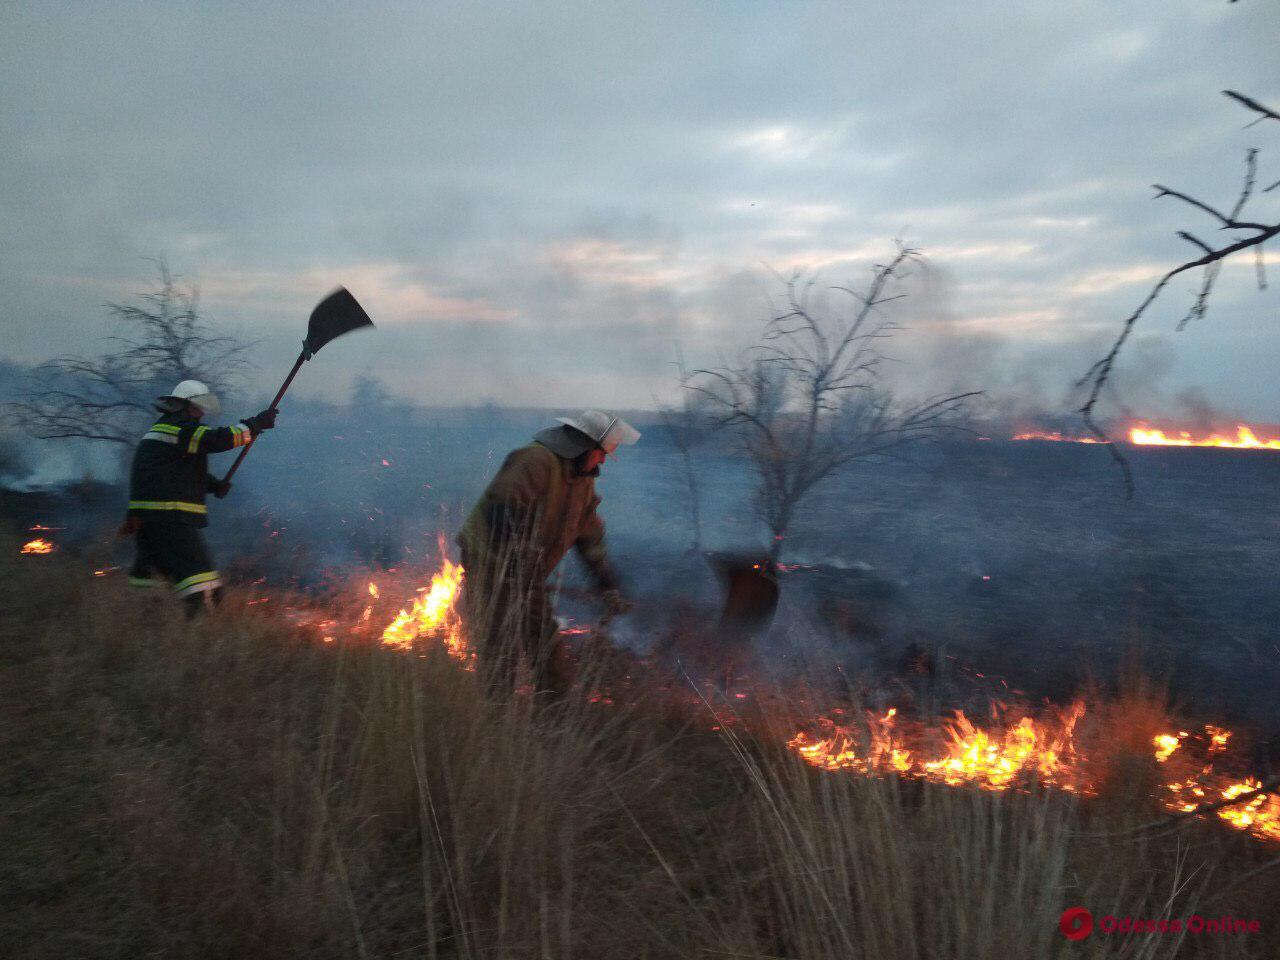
(1244, 235)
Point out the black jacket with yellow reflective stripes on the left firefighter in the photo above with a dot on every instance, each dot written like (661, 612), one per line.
(171, 473)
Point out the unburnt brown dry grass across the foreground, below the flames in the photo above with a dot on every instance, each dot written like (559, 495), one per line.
(228, 789)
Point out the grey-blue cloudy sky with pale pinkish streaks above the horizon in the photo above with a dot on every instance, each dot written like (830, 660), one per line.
(538, 202)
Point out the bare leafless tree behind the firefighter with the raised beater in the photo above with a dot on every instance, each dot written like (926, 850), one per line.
(104, 397)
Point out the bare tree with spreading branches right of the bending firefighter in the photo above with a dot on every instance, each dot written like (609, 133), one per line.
(811, 399)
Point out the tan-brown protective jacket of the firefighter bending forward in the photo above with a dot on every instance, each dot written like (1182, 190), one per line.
(534, 510)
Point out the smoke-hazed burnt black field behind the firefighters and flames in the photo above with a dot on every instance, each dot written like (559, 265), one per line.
(1020, 561)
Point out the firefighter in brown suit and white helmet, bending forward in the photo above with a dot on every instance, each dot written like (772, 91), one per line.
(540, 505)
